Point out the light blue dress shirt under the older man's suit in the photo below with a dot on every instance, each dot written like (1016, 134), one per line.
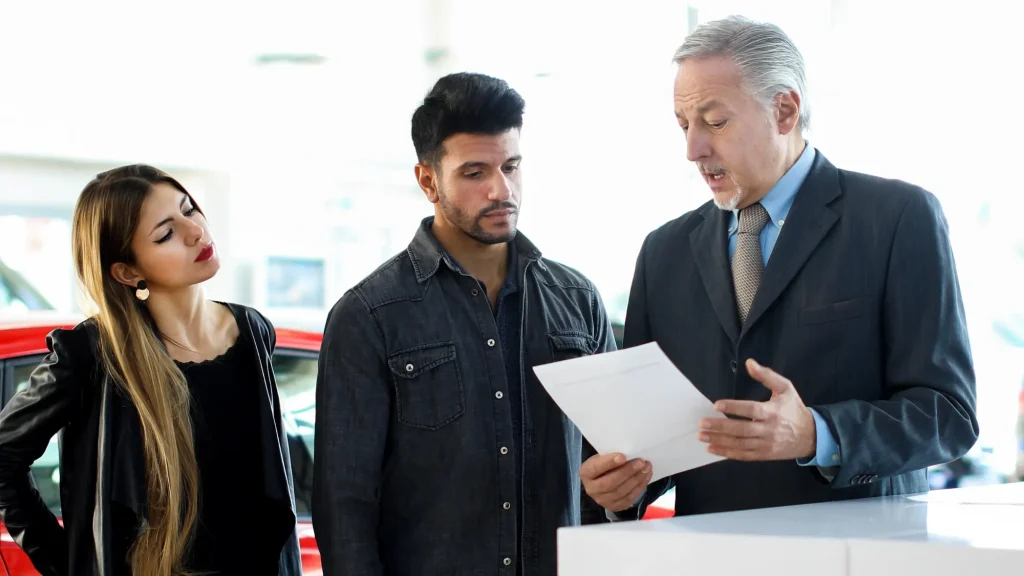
(778, 202)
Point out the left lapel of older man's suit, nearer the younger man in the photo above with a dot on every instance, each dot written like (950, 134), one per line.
(710, 243)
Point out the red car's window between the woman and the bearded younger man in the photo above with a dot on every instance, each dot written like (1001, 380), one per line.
(296, 376)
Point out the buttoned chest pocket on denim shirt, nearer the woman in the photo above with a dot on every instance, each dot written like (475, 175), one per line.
(429, 386)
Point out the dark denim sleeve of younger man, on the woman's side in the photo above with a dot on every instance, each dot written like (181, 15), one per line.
(354, 406)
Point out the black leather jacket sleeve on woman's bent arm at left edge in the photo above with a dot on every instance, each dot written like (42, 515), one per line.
(28, 423)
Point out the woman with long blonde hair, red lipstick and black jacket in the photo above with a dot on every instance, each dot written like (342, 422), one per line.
(174, 456)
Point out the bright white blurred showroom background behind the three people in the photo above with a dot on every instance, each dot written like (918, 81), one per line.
(289, 122)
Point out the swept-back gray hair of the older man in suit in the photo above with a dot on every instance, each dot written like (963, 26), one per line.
(769, 61)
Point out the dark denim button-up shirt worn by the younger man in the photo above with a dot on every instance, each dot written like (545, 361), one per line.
(416, 469)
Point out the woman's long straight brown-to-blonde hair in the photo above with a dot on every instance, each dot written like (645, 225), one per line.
(105, 222)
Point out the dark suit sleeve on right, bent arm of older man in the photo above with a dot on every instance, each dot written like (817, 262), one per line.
(927, 417)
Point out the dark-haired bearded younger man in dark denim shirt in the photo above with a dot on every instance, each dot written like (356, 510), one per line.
(438, 450)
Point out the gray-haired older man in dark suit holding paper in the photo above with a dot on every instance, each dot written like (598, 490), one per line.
(819, 308)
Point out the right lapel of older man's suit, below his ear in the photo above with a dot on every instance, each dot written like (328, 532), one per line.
(805, 228)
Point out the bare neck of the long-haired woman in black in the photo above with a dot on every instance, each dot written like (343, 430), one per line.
(184, 316)
